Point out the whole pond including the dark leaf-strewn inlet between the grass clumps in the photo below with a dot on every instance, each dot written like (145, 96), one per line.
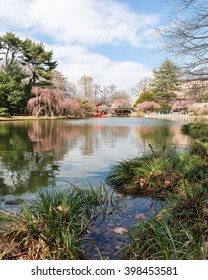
(42, 154)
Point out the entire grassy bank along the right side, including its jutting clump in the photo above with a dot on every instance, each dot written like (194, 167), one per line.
(179, 229)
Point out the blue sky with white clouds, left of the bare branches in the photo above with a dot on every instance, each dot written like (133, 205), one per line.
(113, 41)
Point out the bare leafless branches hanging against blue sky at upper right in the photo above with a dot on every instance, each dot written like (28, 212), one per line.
(187, 36)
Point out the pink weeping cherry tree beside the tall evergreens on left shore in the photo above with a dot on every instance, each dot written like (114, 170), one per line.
(49, 102)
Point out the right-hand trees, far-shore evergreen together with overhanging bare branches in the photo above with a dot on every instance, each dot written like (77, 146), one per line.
(184, 38)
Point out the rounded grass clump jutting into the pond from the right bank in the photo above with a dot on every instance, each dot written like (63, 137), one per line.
(152, 174)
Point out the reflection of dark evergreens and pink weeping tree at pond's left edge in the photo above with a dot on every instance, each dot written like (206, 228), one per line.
(28, 163)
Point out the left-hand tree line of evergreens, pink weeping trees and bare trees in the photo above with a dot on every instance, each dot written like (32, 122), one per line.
(30, 83)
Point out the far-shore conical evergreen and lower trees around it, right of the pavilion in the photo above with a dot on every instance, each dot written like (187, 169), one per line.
(169, 87)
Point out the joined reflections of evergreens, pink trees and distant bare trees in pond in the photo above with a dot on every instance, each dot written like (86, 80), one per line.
(30, 151)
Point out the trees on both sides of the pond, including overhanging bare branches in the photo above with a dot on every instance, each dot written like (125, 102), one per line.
(30, 82)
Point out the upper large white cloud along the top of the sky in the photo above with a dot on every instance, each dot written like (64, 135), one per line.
(88, 22)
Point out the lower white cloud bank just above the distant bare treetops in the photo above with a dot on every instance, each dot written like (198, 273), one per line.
(76, 61)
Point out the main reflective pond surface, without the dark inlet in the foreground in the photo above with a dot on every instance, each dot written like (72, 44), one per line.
(38, 154)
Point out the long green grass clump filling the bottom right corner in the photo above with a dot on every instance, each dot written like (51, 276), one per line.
(178, 231)
